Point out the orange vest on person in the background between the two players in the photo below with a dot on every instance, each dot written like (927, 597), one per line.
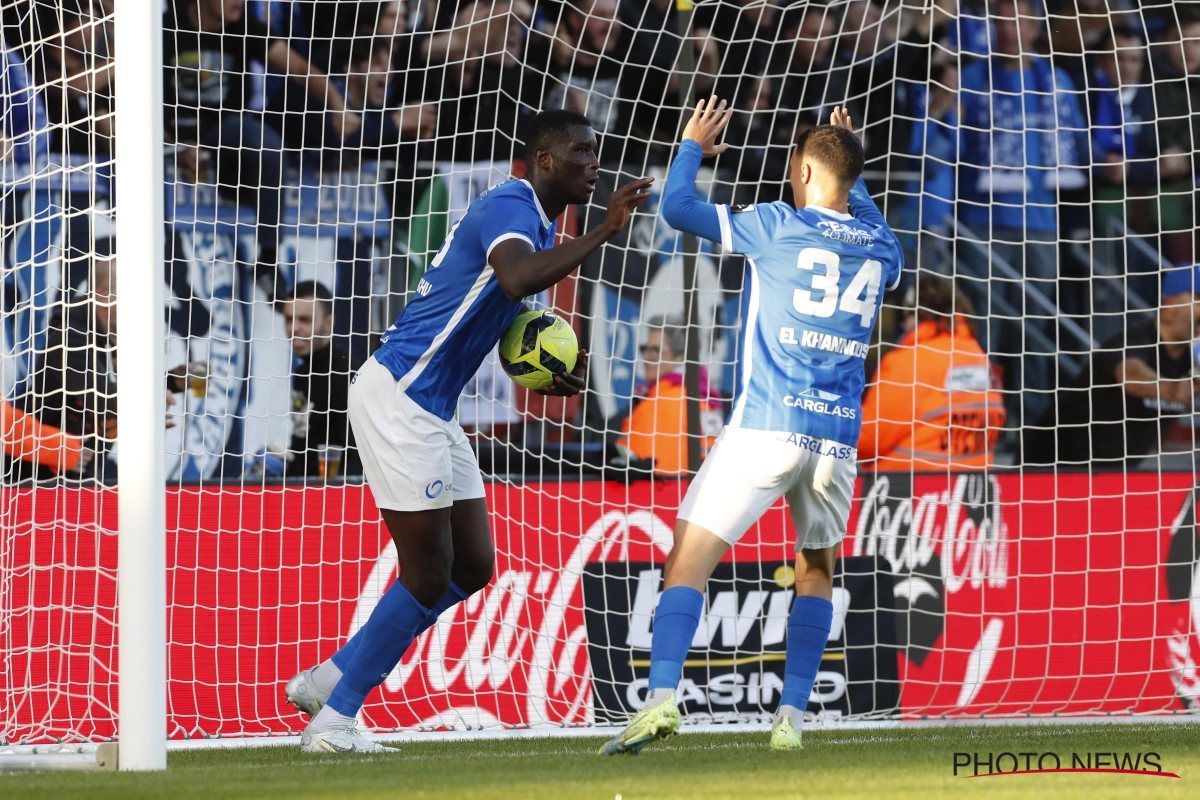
(658, 425)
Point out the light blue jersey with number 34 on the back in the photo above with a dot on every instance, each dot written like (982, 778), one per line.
(814, 285)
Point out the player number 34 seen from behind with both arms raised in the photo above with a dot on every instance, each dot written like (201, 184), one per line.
(813, 290)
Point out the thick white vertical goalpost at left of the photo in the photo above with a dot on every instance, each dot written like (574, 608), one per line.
(141, 398)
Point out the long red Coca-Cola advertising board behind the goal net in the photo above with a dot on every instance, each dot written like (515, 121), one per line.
(1012, 596)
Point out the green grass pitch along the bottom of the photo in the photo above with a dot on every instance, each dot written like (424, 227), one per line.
(877, 765)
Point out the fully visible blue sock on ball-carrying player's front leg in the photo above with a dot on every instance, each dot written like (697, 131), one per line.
(388, 634)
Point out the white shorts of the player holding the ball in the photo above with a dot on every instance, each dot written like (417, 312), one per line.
(413, 460)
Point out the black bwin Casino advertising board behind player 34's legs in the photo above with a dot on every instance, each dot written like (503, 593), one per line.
(736, 664)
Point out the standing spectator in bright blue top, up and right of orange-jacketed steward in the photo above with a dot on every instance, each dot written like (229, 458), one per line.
(1023, 140)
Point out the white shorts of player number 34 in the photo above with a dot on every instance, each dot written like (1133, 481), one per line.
(747, 472)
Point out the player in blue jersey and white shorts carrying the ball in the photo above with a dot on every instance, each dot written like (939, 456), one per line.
(417, 460)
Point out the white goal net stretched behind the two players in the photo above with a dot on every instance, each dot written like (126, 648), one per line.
(1023, 542)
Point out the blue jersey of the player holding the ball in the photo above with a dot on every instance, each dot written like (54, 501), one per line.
(459, 311)
